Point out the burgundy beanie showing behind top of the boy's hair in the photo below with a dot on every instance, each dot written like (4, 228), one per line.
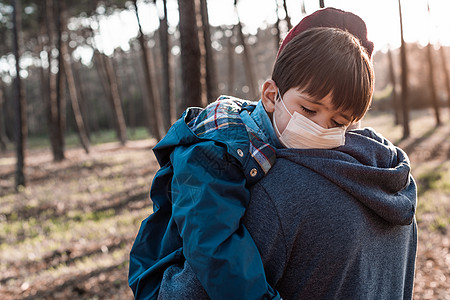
(335, 18)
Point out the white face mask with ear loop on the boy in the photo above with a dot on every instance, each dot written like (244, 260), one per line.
(302, 133)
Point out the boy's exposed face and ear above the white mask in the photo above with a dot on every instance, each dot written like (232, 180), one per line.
(320, 111)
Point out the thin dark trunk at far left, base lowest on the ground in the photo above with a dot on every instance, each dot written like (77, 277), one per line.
(21, 121)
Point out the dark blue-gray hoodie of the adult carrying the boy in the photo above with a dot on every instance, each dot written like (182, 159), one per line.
(330, 224)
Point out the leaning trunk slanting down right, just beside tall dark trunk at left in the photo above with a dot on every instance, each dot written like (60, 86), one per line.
(71, 83)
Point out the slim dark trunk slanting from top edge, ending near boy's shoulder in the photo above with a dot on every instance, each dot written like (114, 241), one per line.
(155, 118)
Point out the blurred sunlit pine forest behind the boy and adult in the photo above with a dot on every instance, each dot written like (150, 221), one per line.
(88, 87)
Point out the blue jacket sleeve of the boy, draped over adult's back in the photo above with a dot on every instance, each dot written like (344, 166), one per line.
(210, 197)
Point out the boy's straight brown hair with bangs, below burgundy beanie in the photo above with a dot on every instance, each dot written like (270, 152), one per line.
(320, 61)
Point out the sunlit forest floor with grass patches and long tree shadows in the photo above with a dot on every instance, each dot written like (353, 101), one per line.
(68, 233)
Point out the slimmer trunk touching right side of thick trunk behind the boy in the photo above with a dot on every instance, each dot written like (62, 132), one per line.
(211, 78)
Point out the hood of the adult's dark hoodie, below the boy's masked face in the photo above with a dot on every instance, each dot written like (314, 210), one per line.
(368, 167)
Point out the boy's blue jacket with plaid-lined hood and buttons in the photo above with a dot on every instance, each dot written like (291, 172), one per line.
(208, 159)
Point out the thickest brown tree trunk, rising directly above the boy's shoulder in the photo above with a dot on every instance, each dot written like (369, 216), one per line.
(190, 55)
